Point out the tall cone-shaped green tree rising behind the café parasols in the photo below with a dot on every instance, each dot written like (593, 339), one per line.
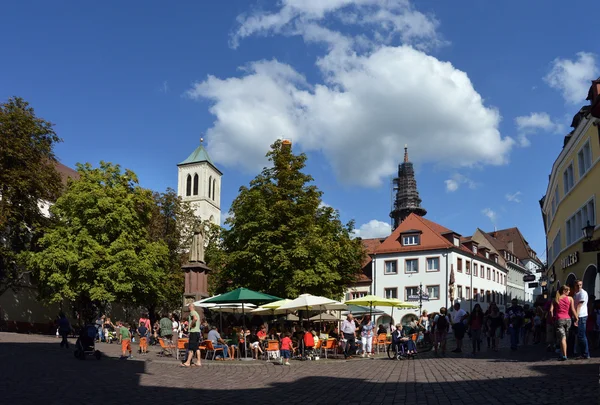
(282, 240)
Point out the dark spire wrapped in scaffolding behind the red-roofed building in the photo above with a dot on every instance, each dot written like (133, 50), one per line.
(407, 196)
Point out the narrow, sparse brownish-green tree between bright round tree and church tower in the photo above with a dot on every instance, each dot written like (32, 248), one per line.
(173, 221)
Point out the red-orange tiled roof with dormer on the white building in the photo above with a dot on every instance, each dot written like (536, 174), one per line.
(431, 238)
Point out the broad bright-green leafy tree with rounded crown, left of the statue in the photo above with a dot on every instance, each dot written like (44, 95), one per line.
(100, 250)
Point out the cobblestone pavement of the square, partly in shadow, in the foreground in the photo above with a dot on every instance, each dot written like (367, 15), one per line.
(33, 369)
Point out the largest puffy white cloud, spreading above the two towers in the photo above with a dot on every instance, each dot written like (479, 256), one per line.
(374, 99)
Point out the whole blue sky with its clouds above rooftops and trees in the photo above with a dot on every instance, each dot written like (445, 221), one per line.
(482, 93)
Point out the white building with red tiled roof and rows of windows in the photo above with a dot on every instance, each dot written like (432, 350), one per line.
(422, 253)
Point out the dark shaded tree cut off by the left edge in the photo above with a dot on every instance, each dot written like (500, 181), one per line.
(28, 178)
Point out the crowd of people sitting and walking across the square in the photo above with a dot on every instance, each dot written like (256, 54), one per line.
(568, 324)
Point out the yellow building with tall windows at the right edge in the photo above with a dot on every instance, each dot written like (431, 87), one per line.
(571, 203)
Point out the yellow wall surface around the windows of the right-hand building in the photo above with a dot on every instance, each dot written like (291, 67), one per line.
(584, 189)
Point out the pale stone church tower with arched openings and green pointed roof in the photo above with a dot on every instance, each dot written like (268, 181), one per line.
(199, 183)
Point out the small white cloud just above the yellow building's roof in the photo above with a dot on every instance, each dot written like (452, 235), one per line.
(573, 77)
